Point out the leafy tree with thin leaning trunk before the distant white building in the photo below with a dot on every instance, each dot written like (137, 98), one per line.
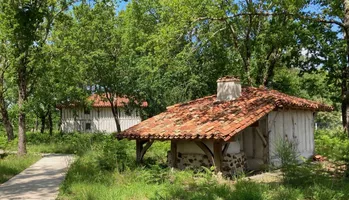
(94, 31)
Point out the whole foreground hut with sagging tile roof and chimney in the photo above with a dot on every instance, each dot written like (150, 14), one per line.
(237, 129)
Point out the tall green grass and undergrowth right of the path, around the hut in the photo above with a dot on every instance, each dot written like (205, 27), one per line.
(105, 169)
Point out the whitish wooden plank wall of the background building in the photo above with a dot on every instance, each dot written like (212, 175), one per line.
(100, 120)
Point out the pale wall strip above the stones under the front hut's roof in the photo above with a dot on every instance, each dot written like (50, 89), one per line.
(189, 147)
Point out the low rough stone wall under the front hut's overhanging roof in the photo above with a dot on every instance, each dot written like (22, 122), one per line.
(232, 163)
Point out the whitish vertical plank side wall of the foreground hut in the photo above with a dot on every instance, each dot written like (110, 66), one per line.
(291, 125)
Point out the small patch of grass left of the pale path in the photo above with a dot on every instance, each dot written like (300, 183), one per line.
(10, 165)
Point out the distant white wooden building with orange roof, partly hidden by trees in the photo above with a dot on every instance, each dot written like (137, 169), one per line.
(98, 117)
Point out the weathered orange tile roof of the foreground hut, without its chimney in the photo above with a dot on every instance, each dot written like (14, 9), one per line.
(205, 118)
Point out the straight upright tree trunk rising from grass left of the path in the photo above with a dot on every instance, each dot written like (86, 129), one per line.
(22, 97)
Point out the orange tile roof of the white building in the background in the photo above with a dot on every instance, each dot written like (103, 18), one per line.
(99, 101)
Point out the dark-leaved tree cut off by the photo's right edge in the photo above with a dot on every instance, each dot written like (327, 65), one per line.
(325, 39)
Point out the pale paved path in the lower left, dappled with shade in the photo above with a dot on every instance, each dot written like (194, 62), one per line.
(39, 181)
